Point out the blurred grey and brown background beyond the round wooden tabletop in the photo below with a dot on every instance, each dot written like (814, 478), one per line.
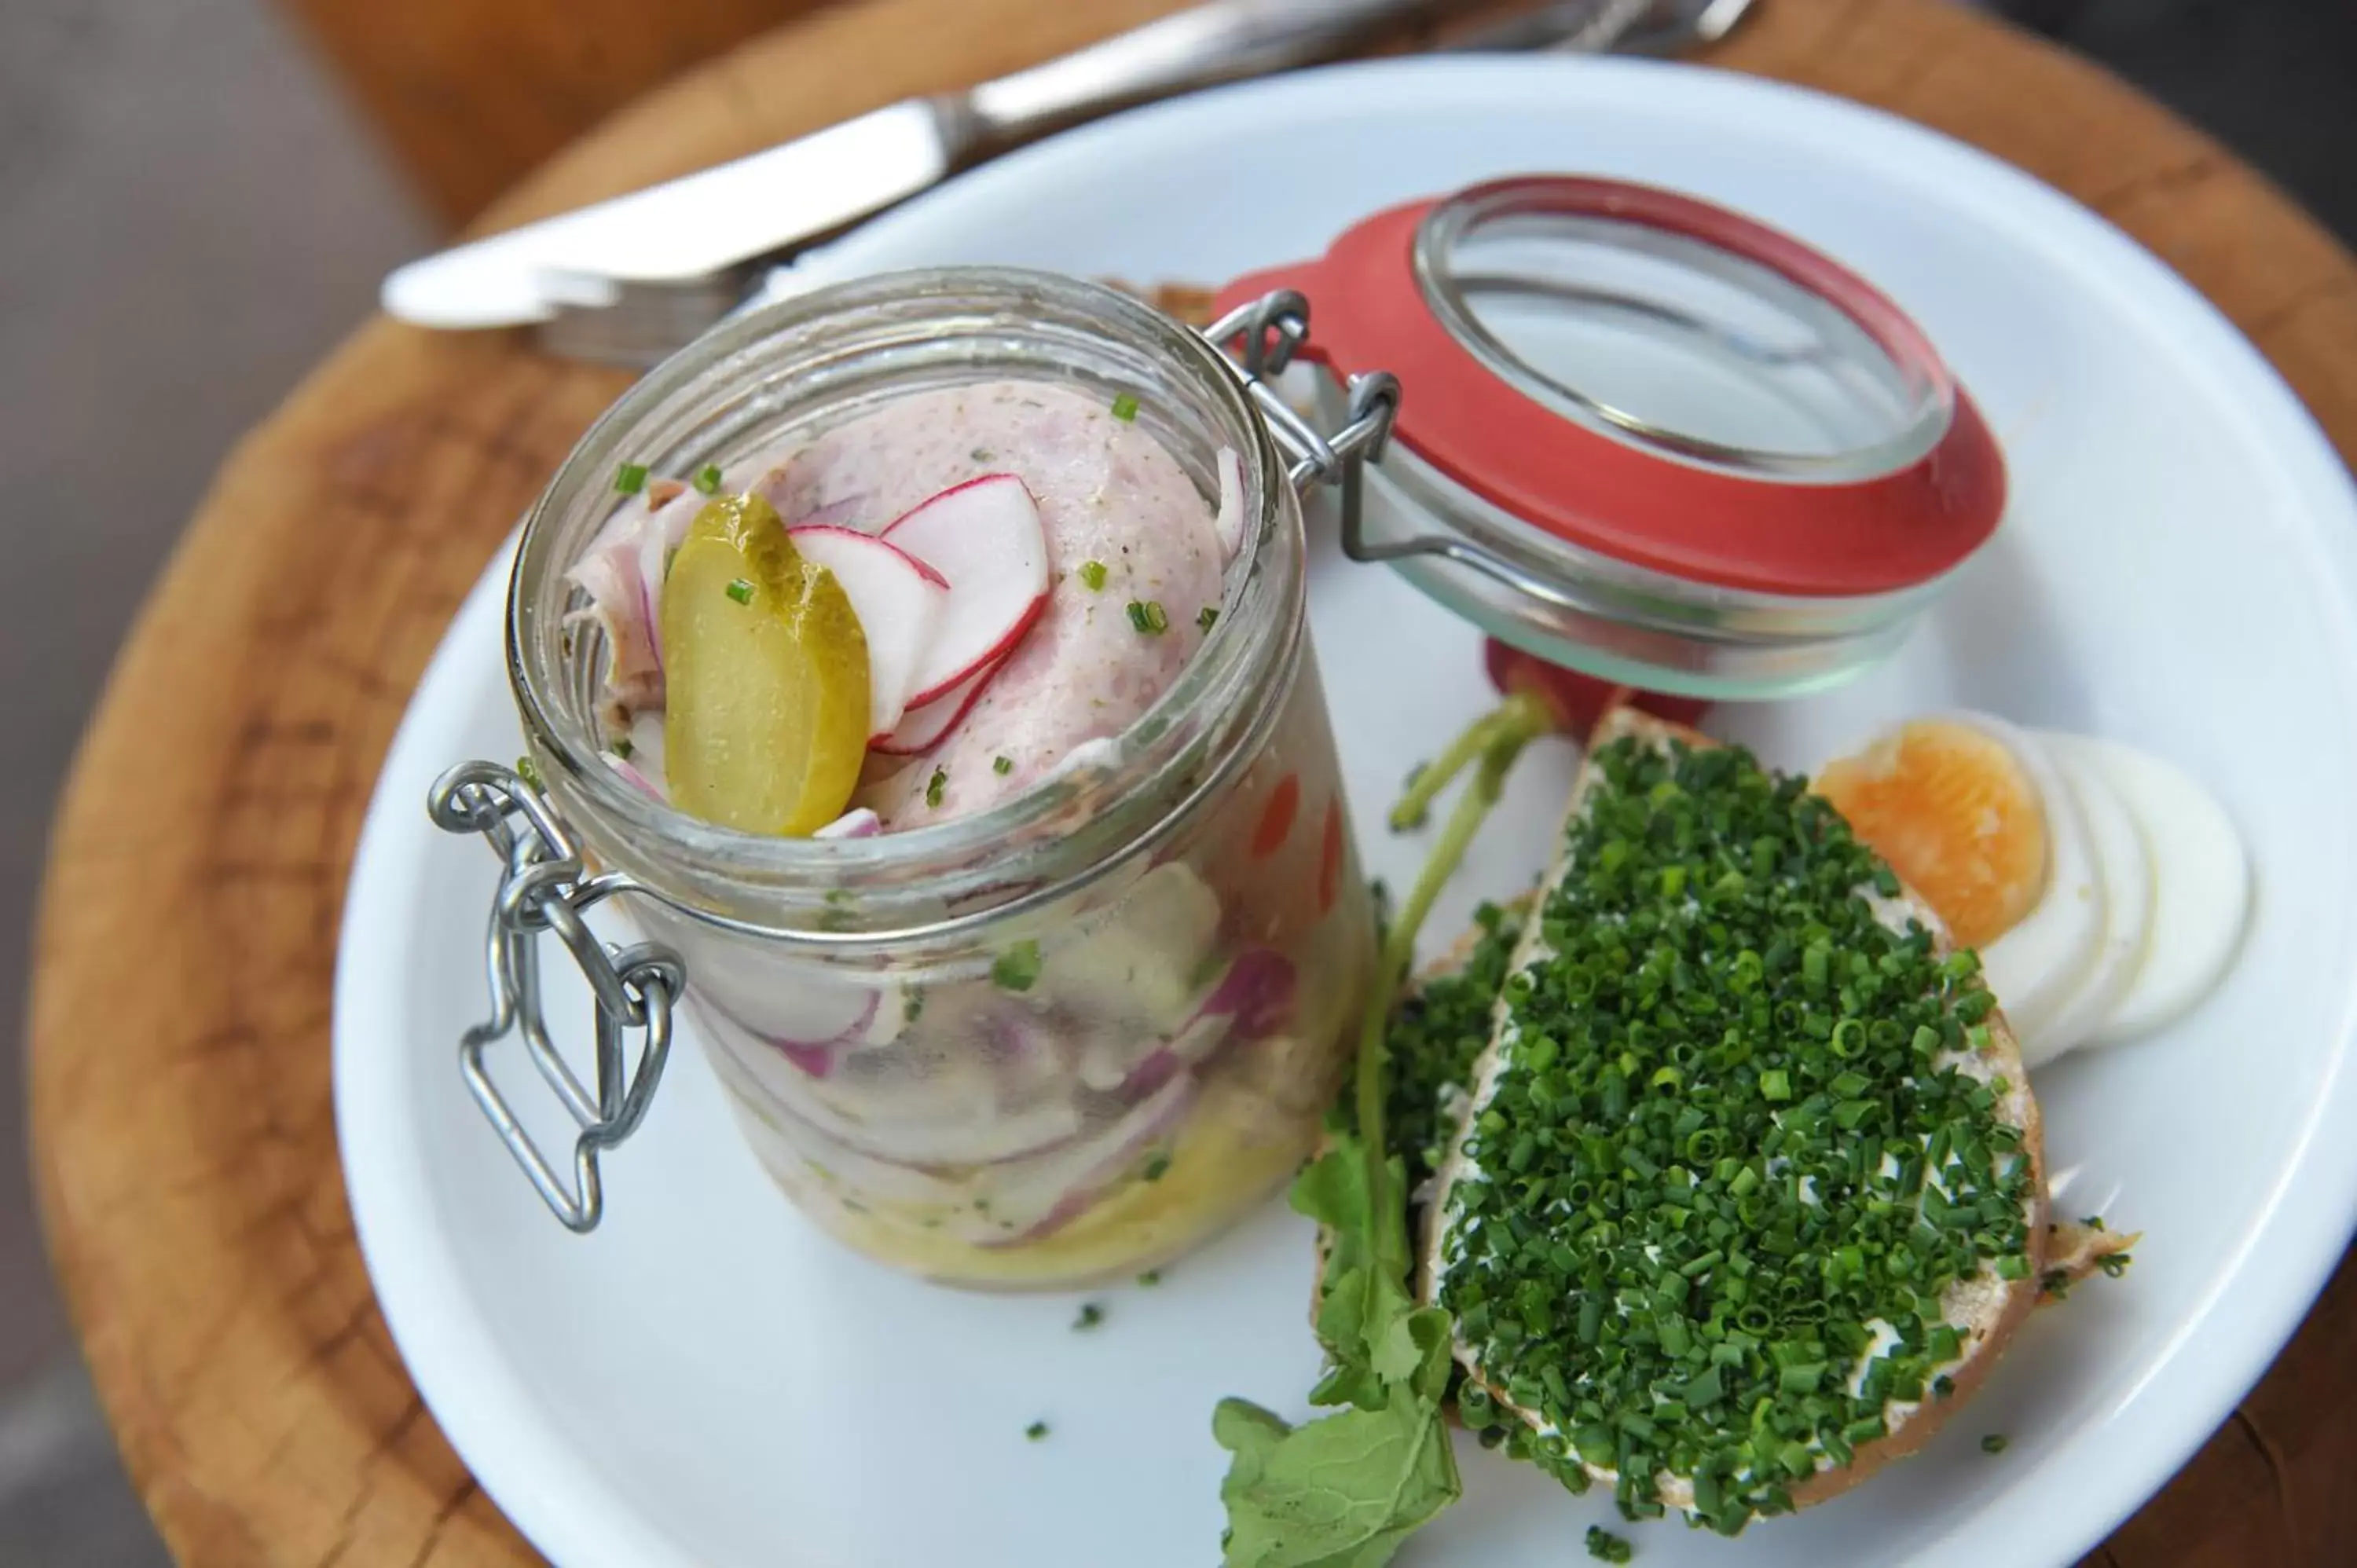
(199, 197)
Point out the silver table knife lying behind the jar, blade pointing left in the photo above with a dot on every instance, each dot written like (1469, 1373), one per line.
(727, 218)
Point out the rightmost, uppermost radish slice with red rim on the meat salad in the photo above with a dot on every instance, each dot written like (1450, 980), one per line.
(986, 539)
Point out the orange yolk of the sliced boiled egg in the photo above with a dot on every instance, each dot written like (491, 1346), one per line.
(1957, 819)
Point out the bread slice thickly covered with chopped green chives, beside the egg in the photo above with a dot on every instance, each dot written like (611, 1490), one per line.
(1750, 1192)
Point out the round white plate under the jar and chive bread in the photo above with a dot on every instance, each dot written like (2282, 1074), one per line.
(706, 1383)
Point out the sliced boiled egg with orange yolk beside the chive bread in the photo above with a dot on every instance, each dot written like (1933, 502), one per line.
(2104, 888)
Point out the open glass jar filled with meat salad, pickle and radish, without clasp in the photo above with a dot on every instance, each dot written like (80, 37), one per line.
(930, 657)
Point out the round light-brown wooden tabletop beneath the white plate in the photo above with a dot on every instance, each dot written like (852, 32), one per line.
(180, 1022)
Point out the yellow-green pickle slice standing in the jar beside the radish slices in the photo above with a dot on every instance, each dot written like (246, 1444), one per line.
(765, 673)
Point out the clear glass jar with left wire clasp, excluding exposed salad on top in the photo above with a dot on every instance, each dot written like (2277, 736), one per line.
(1057, 1041)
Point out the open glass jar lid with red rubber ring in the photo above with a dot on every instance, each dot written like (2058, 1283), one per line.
(1710, 454)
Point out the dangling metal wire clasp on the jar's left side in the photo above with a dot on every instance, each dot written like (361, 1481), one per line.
(543, 888)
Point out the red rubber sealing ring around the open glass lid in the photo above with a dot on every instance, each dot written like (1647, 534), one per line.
(1613, 494)
